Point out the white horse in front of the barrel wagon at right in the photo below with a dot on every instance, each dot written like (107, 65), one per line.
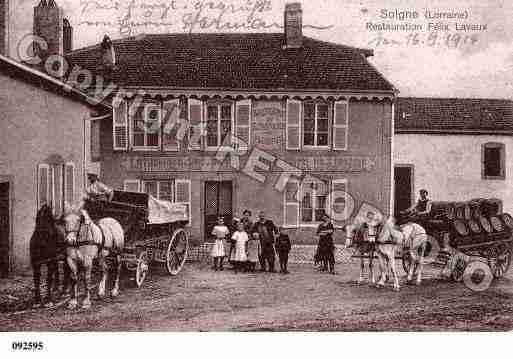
(411, 237)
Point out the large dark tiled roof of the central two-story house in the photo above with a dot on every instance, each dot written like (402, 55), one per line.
(235, 61)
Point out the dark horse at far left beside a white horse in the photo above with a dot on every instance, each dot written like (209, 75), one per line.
(47, 246)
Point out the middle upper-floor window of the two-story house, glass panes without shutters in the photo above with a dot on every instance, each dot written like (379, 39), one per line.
(219, 124)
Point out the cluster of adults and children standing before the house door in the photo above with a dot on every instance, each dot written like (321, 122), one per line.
(248, 243)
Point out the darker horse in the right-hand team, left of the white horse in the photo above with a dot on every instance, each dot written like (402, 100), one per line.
(357, 236)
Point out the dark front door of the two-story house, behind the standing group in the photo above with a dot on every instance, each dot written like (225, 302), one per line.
(218, 202)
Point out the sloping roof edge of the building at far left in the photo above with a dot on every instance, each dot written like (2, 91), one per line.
(18, 70)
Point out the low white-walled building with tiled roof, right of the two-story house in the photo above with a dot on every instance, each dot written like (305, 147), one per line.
(455, 148)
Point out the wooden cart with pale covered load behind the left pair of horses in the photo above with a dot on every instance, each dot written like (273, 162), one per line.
(154, 231)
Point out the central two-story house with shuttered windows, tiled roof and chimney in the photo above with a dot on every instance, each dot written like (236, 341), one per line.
(244, 121)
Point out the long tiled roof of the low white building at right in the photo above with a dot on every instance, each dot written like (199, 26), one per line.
(453, 115)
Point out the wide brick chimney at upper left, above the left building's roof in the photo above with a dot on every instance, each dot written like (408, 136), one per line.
(49, 24)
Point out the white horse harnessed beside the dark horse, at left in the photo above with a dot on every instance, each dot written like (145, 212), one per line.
(86, 241)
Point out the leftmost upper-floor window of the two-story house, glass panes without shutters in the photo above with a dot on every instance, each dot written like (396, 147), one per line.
(145, 121)
